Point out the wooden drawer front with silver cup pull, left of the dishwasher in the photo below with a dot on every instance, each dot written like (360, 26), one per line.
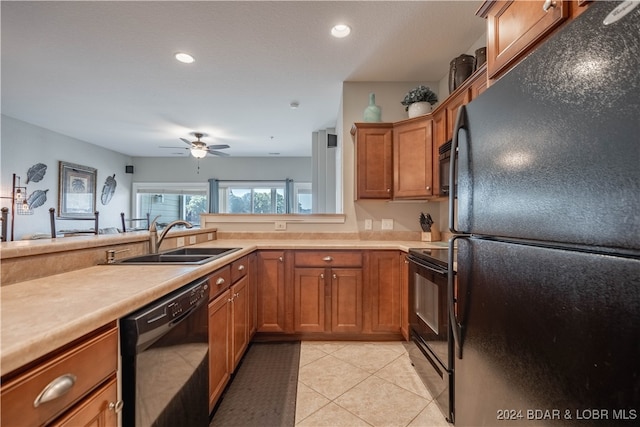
(90, 362)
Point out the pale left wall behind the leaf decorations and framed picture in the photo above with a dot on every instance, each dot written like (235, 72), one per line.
(24, 145)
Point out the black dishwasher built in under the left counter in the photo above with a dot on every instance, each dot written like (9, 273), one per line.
(165, 355)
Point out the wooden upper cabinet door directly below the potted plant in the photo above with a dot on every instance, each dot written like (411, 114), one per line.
(413, 159)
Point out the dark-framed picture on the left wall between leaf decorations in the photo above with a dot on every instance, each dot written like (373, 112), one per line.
(76, 190)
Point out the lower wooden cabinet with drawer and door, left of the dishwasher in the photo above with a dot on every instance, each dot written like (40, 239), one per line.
(75, 386)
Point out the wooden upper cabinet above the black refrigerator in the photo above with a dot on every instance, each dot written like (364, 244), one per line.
(515, 27)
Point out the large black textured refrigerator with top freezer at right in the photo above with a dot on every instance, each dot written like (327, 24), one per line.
(546, 313)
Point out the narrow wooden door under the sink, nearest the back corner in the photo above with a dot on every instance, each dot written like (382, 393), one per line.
(239, 320)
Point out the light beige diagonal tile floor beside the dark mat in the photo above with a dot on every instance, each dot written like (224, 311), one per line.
(361, 384)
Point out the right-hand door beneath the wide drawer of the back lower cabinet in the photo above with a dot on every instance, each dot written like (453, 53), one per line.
(346, 299)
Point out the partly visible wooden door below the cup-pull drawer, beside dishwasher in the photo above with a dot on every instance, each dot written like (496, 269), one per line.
(96, 410)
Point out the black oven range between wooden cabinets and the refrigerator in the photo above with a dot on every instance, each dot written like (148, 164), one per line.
(430, 350)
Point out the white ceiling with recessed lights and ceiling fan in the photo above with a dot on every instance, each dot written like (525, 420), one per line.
(104, 72)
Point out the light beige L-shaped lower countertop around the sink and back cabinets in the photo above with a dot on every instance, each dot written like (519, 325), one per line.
(41, 315)
